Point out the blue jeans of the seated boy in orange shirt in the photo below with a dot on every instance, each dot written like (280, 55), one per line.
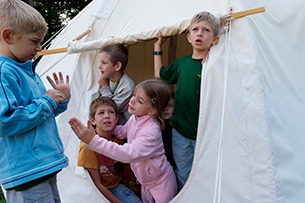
(125, 194)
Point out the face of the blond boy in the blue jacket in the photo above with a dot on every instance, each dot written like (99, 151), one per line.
(25, 47)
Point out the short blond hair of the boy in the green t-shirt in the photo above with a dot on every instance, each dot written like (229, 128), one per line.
(206, 16)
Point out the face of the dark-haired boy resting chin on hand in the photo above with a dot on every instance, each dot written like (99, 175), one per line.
(106, 67)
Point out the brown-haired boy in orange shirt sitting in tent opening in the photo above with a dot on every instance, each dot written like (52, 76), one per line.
(103, 115)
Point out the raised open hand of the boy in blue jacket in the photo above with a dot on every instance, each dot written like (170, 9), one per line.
(59, 84)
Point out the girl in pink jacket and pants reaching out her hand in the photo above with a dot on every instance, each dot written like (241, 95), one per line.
(144, 148)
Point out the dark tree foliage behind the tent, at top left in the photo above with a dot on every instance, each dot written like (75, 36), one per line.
(57, 12)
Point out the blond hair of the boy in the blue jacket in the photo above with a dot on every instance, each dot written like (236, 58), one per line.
(20, 17)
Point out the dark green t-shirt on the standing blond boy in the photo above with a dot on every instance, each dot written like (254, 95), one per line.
(185, 72)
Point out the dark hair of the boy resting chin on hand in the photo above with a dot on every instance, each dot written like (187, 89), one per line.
(118, 53)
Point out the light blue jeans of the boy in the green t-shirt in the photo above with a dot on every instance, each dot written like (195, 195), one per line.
(183, 152)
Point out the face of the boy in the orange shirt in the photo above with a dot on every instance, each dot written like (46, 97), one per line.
(105, 119)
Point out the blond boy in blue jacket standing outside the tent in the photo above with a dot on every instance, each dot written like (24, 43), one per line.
(30, 147)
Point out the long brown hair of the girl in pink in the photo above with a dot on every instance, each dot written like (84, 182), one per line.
(159, 94)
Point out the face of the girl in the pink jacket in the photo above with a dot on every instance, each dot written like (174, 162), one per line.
(140, 104)
